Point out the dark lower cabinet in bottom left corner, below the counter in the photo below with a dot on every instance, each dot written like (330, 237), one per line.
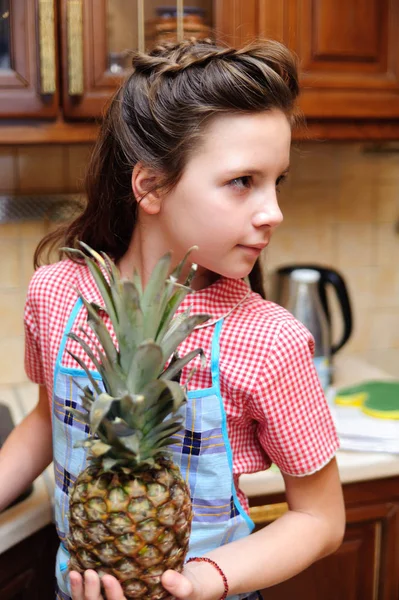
(27, 571)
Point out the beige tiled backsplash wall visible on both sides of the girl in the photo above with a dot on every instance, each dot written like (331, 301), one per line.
(340, 205)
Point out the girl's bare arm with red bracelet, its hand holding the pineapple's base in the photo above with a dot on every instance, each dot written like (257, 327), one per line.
(312, 528)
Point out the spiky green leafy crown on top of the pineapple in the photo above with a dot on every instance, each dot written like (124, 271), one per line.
(134, 419)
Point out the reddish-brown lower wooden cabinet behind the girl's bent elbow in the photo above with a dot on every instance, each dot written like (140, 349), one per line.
(366, 567)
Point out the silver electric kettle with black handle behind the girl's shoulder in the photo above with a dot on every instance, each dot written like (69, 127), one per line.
(302, 289)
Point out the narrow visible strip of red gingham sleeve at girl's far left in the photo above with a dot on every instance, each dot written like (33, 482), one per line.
(33, 355)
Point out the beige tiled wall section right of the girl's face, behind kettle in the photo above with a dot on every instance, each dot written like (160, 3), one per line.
(341, 209)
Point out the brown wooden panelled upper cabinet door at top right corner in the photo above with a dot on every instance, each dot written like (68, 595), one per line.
(348, 50)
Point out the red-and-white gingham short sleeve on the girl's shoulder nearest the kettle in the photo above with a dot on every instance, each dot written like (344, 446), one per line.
(295, 426)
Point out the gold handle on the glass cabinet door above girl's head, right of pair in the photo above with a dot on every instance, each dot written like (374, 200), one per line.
(75, 47)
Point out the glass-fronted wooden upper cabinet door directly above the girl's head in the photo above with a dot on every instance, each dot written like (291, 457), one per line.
(97, 34)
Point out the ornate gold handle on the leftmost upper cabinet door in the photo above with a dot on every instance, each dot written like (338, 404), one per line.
(48, 83)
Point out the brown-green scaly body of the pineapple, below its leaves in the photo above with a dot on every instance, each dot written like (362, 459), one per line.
(133, 525)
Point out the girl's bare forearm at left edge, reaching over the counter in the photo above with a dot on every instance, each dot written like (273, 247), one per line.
(26, 452)
